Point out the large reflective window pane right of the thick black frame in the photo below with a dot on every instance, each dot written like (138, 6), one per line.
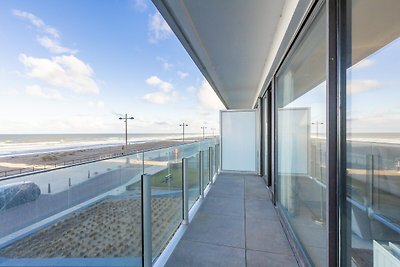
(373, 134)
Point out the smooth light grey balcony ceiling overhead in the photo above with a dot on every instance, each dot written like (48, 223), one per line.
(229, 41)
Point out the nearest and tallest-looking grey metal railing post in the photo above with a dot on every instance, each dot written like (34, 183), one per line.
(147, 258)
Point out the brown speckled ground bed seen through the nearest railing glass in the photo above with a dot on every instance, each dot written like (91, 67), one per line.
(111, 228)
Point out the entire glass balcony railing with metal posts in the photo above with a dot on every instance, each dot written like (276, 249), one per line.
(99, 211)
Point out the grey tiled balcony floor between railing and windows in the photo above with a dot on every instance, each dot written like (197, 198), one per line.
(236, 225)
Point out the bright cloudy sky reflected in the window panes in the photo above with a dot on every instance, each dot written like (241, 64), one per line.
(372, 87)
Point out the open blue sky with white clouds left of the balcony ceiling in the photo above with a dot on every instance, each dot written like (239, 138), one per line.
(77, 66)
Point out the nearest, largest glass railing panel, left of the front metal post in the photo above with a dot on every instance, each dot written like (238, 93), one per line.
(83, 211)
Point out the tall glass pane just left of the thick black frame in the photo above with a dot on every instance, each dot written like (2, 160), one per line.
(301, 120)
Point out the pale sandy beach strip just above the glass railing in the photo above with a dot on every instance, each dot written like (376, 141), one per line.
(13, 164)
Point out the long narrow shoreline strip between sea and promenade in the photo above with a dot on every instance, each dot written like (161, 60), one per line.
(51, 158)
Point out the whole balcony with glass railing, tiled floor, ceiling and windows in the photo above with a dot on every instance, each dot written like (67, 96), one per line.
(305, 172)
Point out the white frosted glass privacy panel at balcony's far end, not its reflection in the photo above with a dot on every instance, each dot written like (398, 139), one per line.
(238, 140)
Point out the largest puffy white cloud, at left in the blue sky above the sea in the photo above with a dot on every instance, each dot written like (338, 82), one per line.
(62, 71)
